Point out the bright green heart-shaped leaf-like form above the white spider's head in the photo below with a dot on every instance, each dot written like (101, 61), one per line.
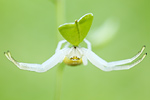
(75, 32)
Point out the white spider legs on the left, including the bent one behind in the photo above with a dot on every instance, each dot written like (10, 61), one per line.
(51, 62)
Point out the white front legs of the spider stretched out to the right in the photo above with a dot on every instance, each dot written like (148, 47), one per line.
(109, 66)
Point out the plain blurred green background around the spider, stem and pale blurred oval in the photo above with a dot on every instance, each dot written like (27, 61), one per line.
(28, 29)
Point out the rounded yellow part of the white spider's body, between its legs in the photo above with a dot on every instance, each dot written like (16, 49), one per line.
(72, 61)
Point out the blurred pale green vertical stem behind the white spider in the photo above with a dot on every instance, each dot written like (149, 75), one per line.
(60, 18)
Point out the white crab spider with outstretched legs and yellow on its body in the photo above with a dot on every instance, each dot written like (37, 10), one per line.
(76, 56)
